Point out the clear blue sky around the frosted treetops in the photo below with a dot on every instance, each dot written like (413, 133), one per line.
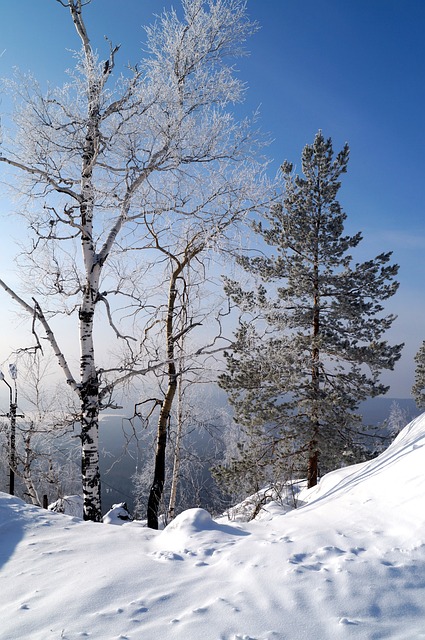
(353, 68)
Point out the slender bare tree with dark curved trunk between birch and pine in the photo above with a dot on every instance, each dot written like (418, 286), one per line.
(184, 248)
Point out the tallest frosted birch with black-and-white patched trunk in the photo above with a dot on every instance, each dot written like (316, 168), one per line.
(95, 158)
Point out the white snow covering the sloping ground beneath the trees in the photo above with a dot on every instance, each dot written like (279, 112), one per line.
(350, 563)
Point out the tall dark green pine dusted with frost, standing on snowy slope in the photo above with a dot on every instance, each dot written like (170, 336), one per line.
(304, 359)
